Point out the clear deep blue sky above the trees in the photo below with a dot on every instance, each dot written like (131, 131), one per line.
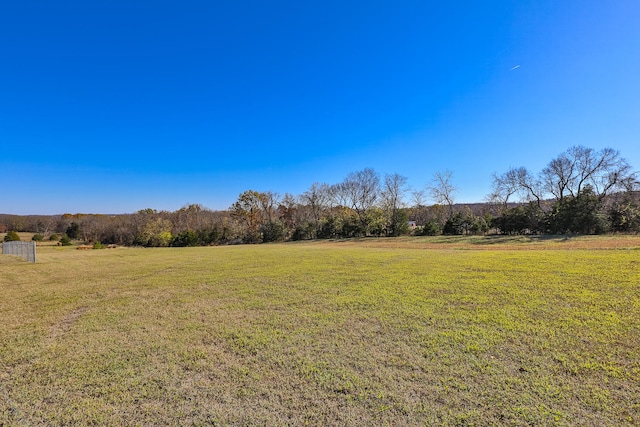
(116, 106)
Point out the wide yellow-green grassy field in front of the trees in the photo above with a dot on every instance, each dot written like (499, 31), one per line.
(414, 331)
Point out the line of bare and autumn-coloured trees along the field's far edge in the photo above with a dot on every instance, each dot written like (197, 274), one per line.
(581, 191)
